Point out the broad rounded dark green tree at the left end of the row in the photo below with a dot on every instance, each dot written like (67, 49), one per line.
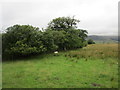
(22, 40)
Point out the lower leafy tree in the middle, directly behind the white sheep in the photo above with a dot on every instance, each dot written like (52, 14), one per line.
(53, 40)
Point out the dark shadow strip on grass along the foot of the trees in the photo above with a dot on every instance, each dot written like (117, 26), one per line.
(32, 56)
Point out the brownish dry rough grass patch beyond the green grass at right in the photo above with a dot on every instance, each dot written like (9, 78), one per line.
(96, 51)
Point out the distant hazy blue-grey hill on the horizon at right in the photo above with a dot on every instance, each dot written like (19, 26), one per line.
(104, 39)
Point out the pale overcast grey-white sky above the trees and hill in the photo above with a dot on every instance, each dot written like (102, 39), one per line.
(98, 17)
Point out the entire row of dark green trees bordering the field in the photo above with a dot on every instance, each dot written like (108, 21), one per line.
(25, 40)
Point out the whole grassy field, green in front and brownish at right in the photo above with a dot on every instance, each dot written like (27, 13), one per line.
(94, 66)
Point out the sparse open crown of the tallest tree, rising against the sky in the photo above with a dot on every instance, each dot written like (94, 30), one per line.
(63, 23)
